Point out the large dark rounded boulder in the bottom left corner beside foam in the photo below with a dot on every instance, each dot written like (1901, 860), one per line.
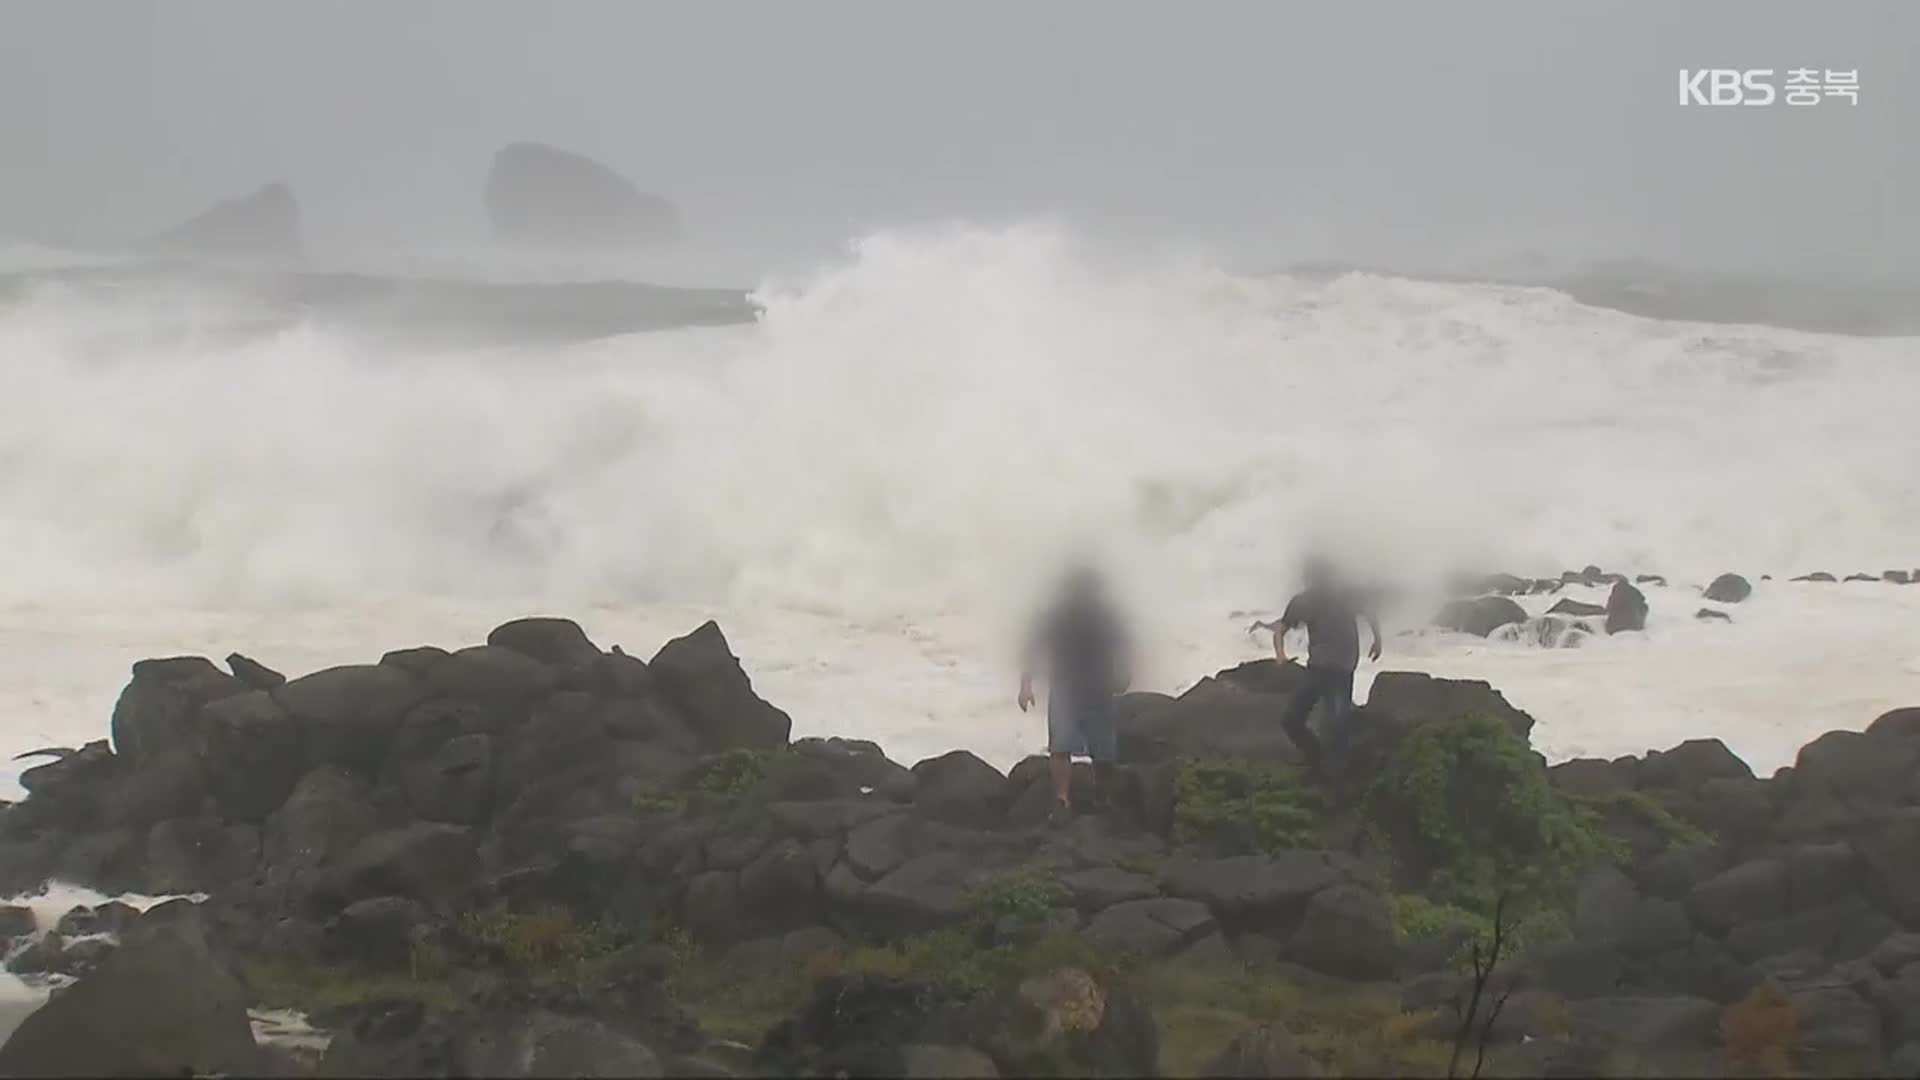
(160, 1006)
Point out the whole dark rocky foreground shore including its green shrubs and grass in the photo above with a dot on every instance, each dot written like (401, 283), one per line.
(544, 858)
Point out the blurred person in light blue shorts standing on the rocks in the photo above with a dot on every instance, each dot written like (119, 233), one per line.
(1084, 649)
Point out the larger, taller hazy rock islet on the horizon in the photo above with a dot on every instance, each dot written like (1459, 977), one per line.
(539, 197)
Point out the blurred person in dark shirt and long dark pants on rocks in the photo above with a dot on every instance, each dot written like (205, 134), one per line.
(1332, 618)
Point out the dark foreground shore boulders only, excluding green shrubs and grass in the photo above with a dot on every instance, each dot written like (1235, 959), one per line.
(356, 816)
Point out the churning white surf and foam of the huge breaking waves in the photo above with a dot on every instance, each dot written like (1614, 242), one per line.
(865, 485)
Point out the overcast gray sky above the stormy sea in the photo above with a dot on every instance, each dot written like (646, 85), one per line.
(1276, 130)
